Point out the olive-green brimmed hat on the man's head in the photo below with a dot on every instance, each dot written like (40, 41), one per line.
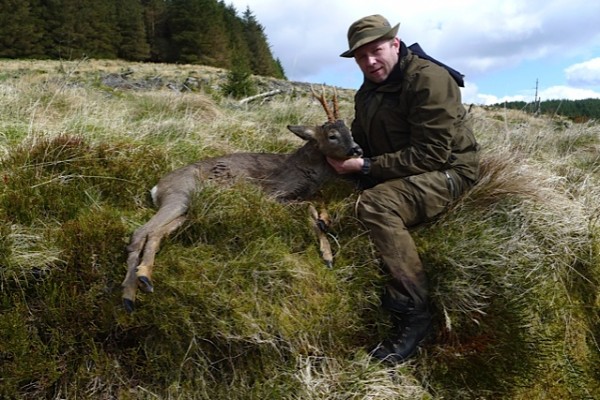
(367, 30)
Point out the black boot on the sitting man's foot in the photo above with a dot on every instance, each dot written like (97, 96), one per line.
(413, 327)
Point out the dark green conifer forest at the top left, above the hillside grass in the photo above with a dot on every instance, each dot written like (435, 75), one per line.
(206, 32)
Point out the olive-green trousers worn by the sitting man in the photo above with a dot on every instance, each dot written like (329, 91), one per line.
(389, 209)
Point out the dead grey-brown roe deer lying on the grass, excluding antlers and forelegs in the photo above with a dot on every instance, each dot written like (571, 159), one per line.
(286, 177)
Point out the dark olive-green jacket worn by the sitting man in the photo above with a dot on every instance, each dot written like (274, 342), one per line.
(414, 122)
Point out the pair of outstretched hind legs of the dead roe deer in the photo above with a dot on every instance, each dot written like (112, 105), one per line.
(142, 250)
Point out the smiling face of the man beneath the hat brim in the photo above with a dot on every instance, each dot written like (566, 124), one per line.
(377, 59)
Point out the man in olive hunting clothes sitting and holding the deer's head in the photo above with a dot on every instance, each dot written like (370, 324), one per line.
(419, 155)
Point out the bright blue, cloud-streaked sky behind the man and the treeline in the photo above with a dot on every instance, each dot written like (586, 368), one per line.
(506, 49)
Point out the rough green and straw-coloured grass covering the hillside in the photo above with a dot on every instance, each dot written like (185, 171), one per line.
(244, 307)
